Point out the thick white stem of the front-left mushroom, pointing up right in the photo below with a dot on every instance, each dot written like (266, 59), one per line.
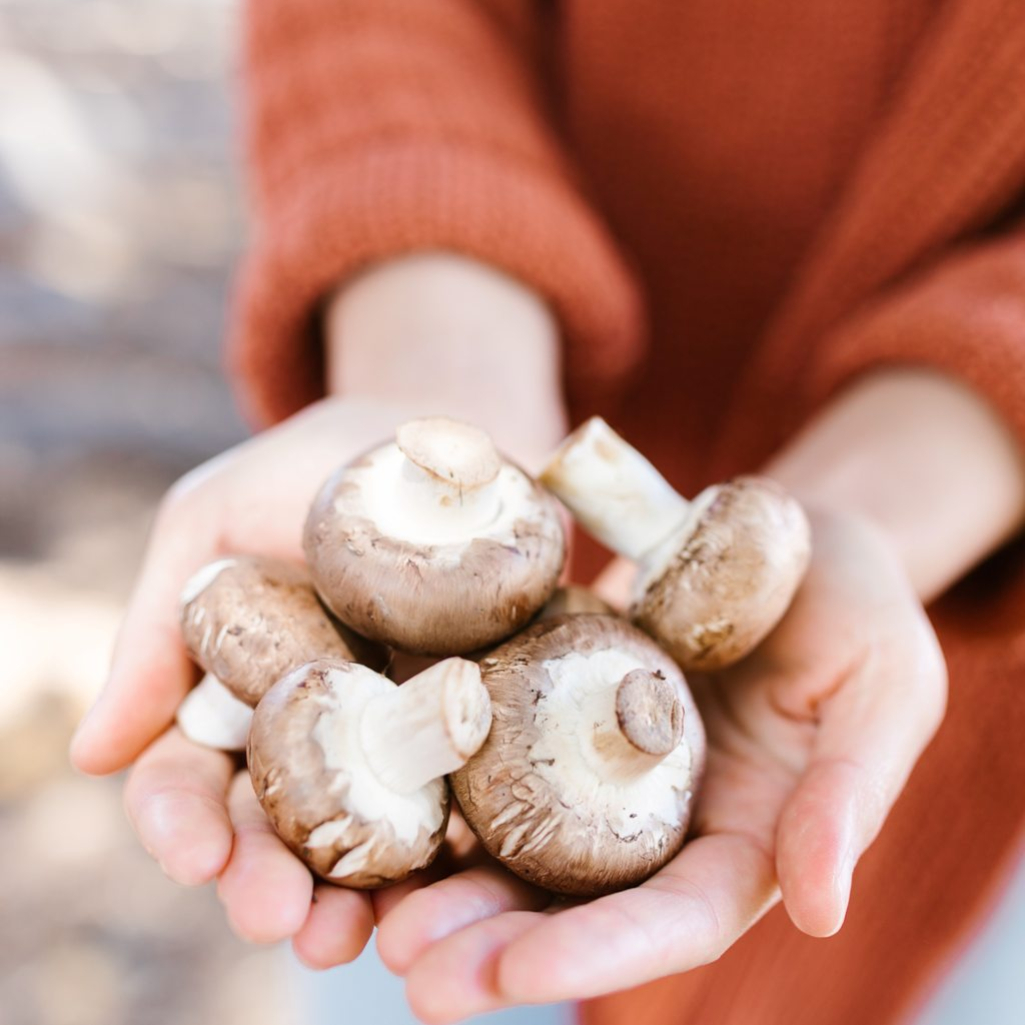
(427, 728)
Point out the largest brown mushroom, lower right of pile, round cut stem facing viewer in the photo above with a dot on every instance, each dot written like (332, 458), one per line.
(587, 782)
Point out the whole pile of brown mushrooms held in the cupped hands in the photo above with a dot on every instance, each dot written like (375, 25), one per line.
(567, 734)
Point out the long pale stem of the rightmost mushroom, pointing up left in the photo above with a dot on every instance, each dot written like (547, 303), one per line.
(613, 490)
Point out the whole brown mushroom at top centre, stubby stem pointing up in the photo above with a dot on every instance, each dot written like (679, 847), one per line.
(434, 544)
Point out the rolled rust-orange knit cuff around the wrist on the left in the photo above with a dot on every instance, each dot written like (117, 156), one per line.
(400, 197)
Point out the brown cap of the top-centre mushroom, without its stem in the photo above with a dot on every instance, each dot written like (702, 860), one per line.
(425, 597)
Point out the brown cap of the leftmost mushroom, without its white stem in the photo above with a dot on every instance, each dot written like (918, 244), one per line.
(251, 620)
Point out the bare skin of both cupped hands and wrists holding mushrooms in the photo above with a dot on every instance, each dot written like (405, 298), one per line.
(811, 739)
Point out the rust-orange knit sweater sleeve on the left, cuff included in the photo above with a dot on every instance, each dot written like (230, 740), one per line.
(379, 128)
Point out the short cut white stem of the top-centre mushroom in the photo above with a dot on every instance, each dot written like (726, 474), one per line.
(448, 478)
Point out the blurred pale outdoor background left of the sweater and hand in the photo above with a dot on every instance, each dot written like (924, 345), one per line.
(120, 218)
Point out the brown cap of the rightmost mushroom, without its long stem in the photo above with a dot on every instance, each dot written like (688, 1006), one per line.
(719, 585)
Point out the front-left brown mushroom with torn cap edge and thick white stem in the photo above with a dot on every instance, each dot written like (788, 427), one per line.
(350, 767)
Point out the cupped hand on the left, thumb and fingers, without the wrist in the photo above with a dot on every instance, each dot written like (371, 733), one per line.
(192, 812)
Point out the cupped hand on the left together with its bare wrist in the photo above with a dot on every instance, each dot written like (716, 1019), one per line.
(422, 336)
